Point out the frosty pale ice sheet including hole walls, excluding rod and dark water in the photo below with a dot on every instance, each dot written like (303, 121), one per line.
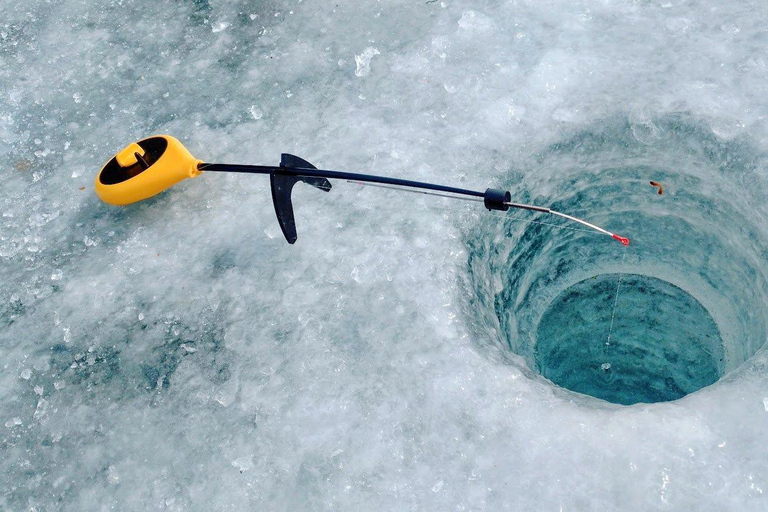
(189, 361)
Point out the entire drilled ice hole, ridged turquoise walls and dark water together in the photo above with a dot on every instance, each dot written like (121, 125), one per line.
(691, 303)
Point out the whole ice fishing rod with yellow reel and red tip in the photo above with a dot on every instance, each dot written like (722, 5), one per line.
(147, 167)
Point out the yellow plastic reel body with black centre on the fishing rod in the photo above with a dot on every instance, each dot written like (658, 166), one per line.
(144, 169)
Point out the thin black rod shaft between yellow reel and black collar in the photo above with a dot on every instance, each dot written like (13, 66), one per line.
(300, 171)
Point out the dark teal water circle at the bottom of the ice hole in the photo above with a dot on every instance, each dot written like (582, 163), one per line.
(655, 343)
